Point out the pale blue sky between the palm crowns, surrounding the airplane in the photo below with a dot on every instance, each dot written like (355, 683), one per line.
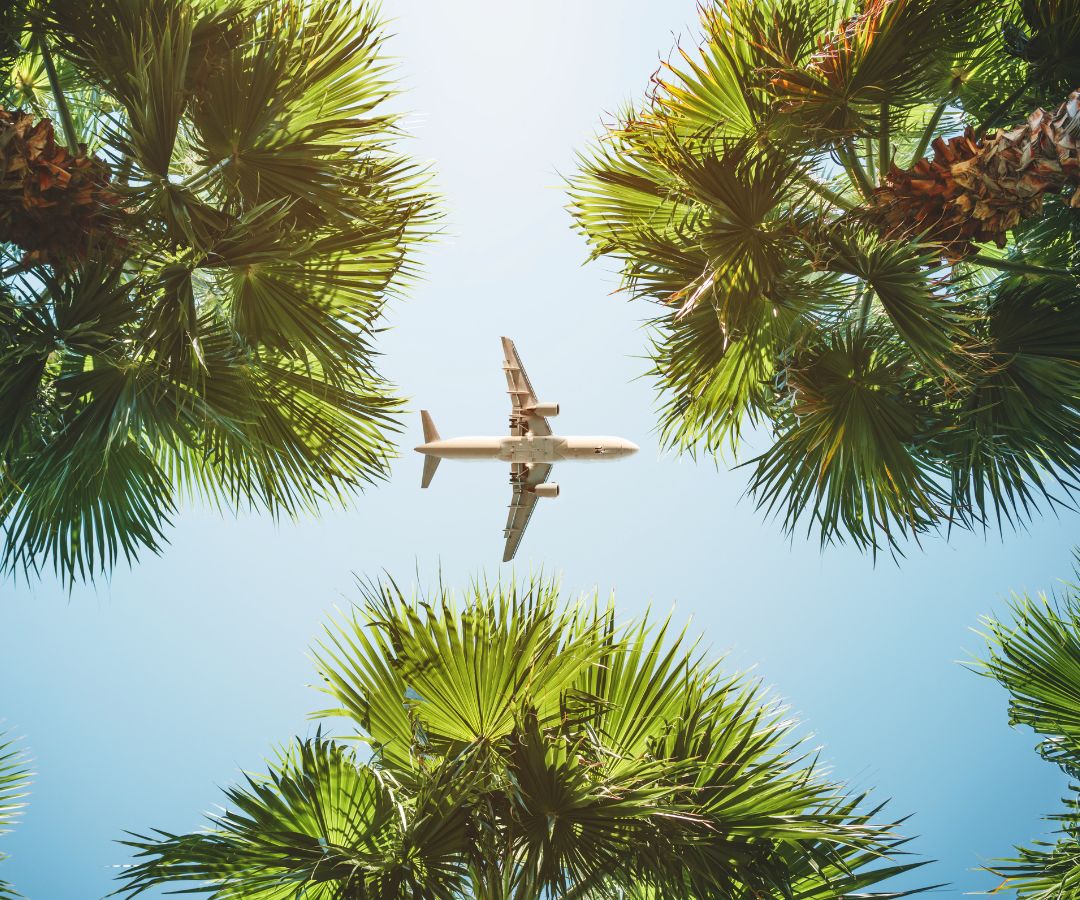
(142, 696)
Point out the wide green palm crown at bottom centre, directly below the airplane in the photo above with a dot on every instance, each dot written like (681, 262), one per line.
(520, 747)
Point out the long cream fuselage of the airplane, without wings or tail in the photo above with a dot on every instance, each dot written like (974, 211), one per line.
(532, 449)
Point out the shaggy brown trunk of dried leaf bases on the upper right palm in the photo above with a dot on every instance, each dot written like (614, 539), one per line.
(974, 192)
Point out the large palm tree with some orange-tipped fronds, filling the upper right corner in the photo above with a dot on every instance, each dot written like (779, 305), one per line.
(907, 330)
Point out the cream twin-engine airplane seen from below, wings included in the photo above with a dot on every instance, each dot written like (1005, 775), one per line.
(532, 449)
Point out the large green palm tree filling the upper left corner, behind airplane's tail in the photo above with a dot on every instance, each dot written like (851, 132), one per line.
(202, 217)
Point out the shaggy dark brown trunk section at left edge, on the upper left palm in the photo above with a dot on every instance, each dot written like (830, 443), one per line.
(53, 204)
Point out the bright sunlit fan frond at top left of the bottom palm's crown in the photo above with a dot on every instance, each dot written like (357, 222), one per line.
(465, 674)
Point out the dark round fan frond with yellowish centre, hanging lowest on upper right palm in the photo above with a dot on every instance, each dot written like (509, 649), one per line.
(850, 452)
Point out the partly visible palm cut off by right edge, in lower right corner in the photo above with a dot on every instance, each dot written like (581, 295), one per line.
(1036, 657)
